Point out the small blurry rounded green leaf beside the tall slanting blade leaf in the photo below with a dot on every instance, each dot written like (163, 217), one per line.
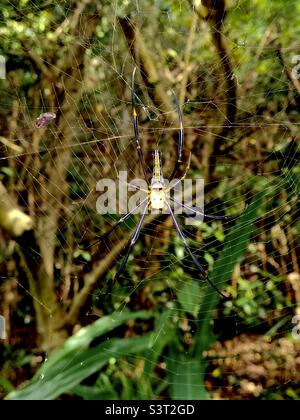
(189, 296)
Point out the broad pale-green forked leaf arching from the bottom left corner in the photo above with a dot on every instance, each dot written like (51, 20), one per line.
(75, 362)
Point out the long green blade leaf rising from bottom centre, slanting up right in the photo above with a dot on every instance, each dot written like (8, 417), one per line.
(187, 375)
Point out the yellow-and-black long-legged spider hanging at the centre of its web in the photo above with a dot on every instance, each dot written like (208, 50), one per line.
(157, 198)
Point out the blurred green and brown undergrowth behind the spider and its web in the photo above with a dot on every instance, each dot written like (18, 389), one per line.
(160, 332)
